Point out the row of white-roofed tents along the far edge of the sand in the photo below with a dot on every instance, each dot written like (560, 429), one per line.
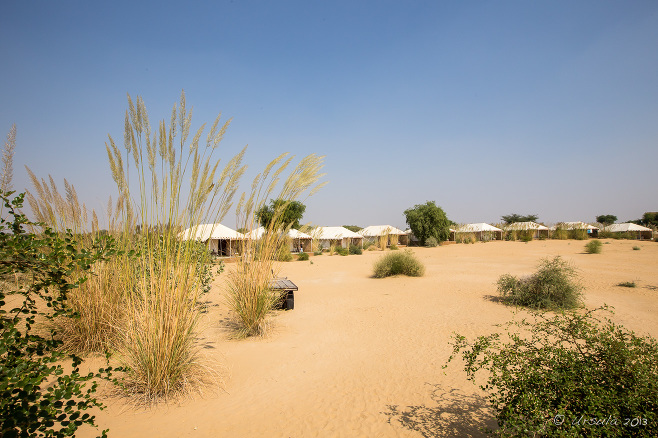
(222, 239)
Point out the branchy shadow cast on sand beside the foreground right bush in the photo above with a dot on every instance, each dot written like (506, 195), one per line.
(454, 415)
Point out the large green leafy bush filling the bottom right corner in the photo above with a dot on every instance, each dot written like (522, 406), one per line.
(557, 375)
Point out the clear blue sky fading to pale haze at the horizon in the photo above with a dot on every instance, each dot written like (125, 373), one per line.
(486, 107)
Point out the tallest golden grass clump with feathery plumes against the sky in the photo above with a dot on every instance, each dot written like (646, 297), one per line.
(174, 187)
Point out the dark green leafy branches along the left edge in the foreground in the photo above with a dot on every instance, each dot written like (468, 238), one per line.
(37, 396)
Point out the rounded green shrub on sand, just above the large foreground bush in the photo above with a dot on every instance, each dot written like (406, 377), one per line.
(554, 286)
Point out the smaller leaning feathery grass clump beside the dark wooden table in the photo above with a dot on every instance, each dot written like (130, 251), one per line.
(248, 285)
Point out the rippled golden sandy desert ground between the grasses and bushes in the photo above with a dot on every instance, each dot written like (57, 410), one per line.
(360, 356)
